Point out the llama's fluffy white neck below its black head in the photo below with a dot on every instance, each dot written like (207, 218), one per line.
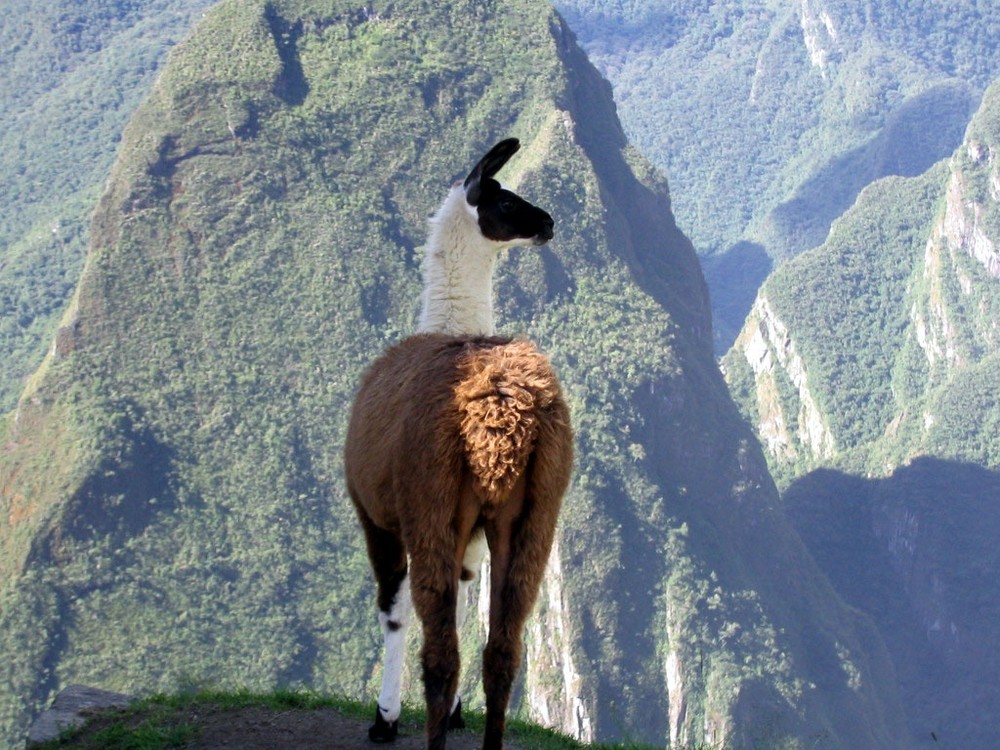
(458, 272)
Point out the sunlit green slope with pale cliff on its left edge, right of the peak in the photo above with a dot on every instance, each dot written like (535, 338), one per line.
(818, 353)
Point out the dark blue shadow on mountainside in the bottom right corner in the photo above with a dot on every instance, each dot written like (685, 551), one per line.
(917, 552)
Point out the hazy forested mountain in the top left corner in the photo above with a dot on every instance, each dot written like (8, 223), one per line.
(71, 73)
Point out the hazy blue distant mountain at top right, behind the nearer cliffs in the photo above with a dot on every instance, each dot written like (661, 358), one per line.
(769, 118)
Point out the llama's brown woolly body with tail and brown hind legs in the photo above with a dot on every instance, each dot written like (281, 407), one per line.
(449, 436)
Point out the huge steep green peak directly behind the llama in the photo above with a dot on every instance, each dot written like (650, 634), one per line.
(171, 481)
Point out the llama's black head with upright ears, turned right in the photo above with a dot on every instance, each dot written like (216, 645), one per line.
(504, 216)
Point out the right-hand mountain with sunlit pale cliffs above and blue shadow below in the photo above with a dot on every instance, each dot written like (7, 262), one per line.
(869, 367)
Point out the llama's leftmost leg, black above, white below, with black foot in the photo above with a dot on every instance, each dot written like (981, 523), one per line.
(394, 605)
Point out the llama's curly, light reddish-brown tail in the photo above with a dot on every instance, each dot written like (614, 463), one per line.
(505, 390)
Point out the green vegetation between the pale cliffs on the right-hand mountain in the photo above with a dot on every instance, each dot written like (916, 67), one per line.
(853, 295)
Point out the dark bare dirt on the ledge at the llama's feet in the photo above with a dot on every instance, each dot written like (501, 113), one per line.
(323, 729)
